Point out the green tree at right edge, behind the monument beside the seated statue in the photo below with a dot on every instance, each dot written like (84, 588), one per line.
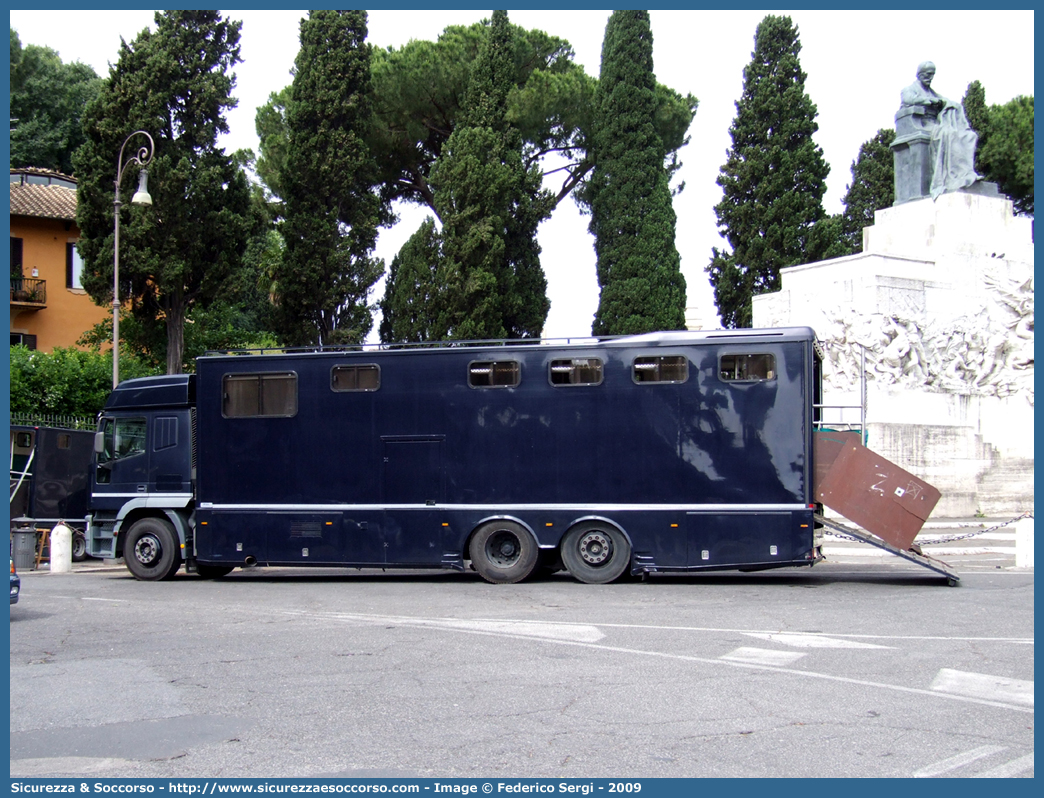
(1008, 156)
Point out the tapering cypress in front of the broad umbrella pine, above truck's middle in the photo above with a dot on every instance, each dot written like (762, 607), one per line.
(490, 204)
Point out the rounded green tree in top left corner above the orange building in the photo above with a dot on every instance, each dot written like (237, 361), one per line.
(48, 101)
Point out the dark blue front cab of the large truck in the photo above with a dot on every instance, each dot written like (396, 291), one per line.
(144, 474)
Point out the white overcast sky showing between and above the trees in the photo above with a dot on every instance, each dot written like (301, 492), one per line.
(857, 63)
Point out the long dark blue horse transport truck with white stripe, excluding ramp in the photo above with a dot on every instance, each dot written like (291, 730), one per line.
(674, 452)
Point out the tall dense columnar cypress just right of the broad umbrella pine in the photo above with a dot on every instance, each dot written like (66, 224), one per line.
(632, 217)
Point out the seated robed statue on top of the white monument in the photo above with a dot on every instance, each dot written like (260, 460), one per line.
(935, 147)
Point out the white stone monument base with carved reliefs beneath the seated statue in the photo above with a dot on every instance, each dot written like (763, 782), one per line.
(942, 302)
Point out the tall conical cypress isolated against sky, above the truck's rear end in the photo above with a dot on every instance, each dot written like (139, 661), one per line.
(774, 179)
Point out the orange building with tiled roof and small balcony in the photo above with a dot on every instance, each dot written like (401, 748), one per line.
(49, 308)
